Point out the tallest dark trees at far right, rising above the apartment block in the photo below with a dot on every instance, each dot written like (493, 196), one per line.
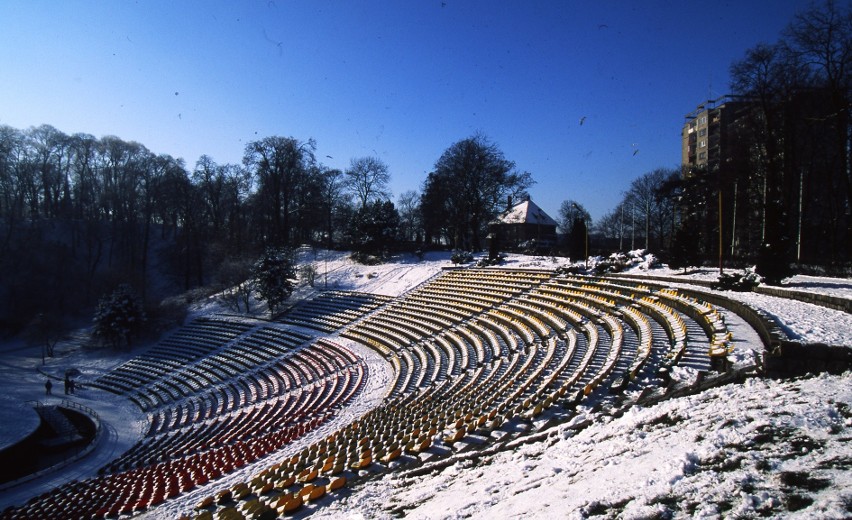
(785, 189)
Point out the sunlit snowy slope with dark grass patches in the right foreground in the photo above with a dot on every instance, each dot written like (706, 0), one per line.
(763, 448)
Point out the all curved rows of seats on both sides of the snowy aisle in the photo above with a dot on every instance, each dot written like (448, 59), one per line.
(471, 350)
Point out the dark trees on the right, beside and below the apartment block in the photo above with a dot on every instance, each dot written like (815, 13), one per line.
(784, 185)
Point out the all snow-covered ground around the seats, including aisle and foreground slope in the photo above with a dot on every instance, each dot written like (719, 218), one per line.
(764, 447)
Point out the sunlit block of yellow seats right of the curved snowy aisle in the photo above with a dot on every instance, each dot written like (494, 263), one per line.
(477, 348)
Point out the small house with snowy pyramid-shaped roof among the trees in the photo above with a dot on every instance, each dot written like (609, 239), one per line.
(523, 227)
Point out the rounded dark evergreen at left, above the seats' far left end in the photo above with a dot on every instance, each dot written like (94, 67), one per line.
(119, 316)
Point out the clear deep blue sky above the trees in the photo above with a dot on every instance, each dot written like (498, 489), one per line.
(401, 80)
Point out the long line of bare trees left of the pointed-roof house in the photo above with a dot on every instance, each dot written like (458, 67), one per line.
(80, 215)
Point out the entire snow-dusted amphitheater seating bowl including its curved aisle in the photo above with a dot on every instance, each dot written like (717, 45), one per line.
(241, 417)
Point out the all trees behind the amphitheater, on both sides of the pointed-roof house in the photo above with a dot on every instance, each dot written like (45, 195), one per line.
(80, 215)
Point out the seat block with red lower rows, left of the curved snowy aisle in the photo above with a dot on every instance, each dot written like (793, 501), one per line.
(286, 388)
